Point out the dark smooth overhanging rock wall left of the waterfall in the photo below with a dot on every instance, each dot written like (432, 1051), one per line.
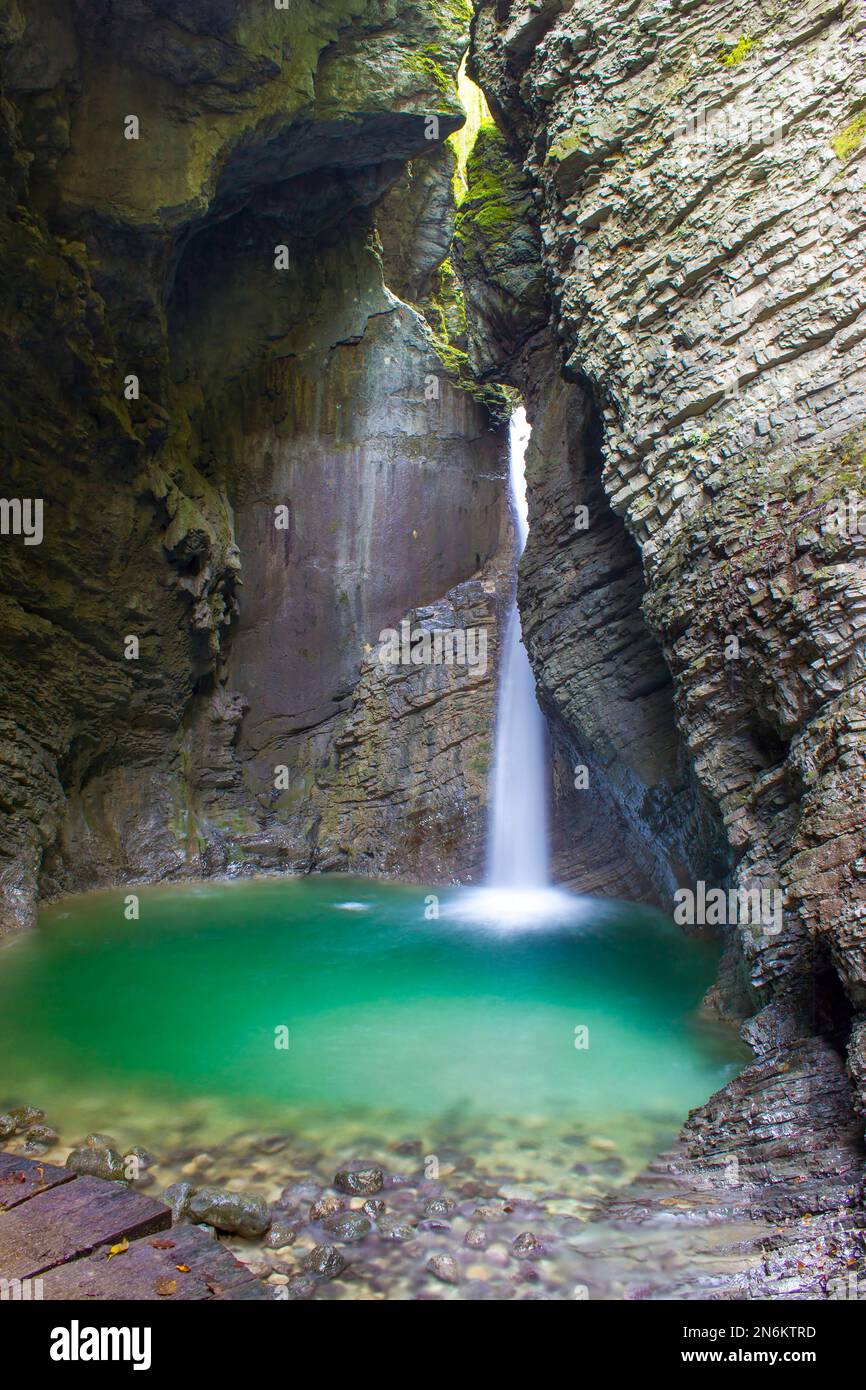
(252, 457)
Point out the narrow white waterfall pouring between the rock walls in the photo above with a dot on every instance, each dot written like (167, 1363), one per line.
(518, 854)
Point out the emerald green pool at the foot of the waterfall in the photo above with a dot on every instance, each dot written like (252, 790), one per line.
(395, 1024)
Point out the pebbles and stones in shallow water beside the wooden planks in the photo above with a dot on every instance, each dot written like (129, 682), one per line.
(483, 1211)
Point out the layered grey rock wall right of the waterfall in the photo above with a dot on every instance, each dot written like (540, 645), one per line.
(698, 176)
